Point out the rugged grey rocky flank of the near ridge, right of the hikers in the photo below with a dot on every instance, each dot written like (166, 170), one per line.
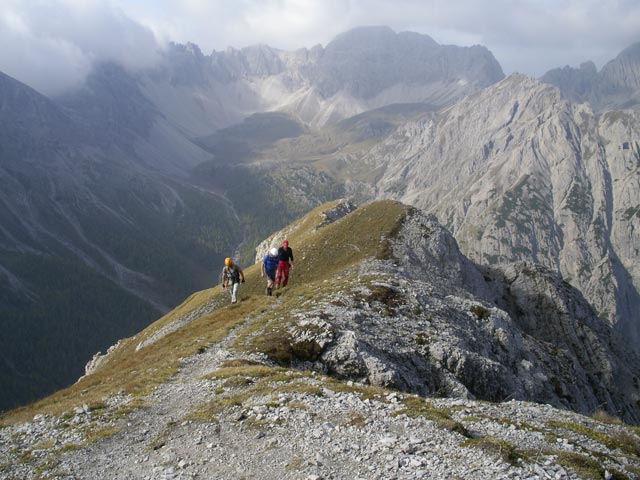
(434, 323)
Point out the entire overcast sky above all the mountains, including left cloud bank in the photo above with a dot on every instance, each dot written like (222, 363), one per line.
(52, 44)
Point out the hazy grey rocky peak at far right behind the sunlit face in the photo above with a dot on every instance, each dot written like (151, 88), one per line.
(616, 86)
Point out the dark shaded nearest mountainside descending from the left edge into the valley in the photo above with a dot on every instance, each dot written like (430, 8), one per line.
(88, 243)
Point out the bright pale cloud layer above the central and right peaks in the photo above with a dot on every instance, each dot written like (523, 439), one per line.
(529, 36)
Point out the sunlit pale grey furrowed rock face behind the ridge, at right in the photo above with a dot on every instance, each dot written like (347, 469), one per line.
(518, 173)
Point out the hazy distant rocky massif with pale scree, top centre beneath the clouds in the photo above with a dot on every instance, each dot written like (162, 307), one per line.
(359, 70)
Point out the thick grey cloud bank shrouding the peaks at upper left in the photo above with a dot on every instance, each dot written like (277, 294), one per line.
(52, 45)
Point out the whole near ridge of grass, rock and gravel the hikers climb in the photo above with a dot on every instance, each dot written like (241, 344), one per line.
(328, 379)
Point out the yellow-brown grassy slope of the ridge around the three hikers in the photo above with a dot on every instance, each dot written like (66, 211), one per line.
(320, 254)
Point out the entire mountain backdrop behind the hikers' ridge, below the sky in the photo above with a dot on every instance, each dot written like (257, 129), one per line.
(122, 197)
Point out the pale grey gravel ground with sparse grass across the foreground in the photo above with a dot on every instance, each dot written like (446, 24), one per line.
(310, 432)
